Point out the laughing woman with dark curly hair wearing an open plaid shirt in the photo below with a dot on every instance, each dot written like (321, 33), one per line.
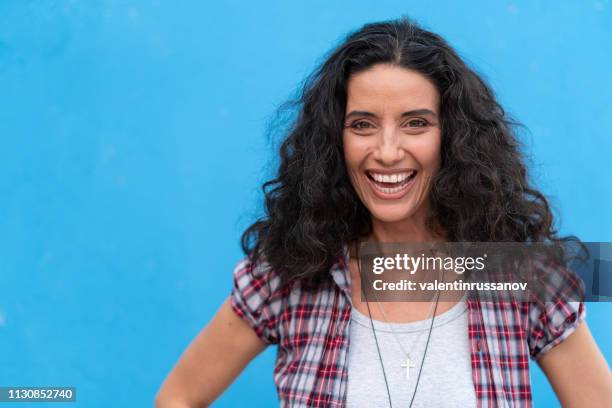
(397, 140)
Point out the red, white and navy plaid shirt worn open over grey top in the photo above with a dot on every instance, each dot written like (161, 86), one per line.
(311, 329)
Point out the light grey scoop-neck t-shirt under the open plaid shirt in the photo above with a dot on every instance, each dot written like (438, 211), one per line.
(446, 377)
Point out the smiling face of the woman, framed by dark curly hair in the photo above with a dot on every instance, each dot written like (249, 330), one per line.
(392, 141)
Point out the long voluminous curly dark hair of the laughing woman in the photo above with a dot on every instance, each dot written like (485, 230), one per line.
(481, 192)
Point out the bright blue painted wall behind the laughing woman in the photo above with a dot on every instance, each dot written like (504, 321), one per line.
(132, 149)
